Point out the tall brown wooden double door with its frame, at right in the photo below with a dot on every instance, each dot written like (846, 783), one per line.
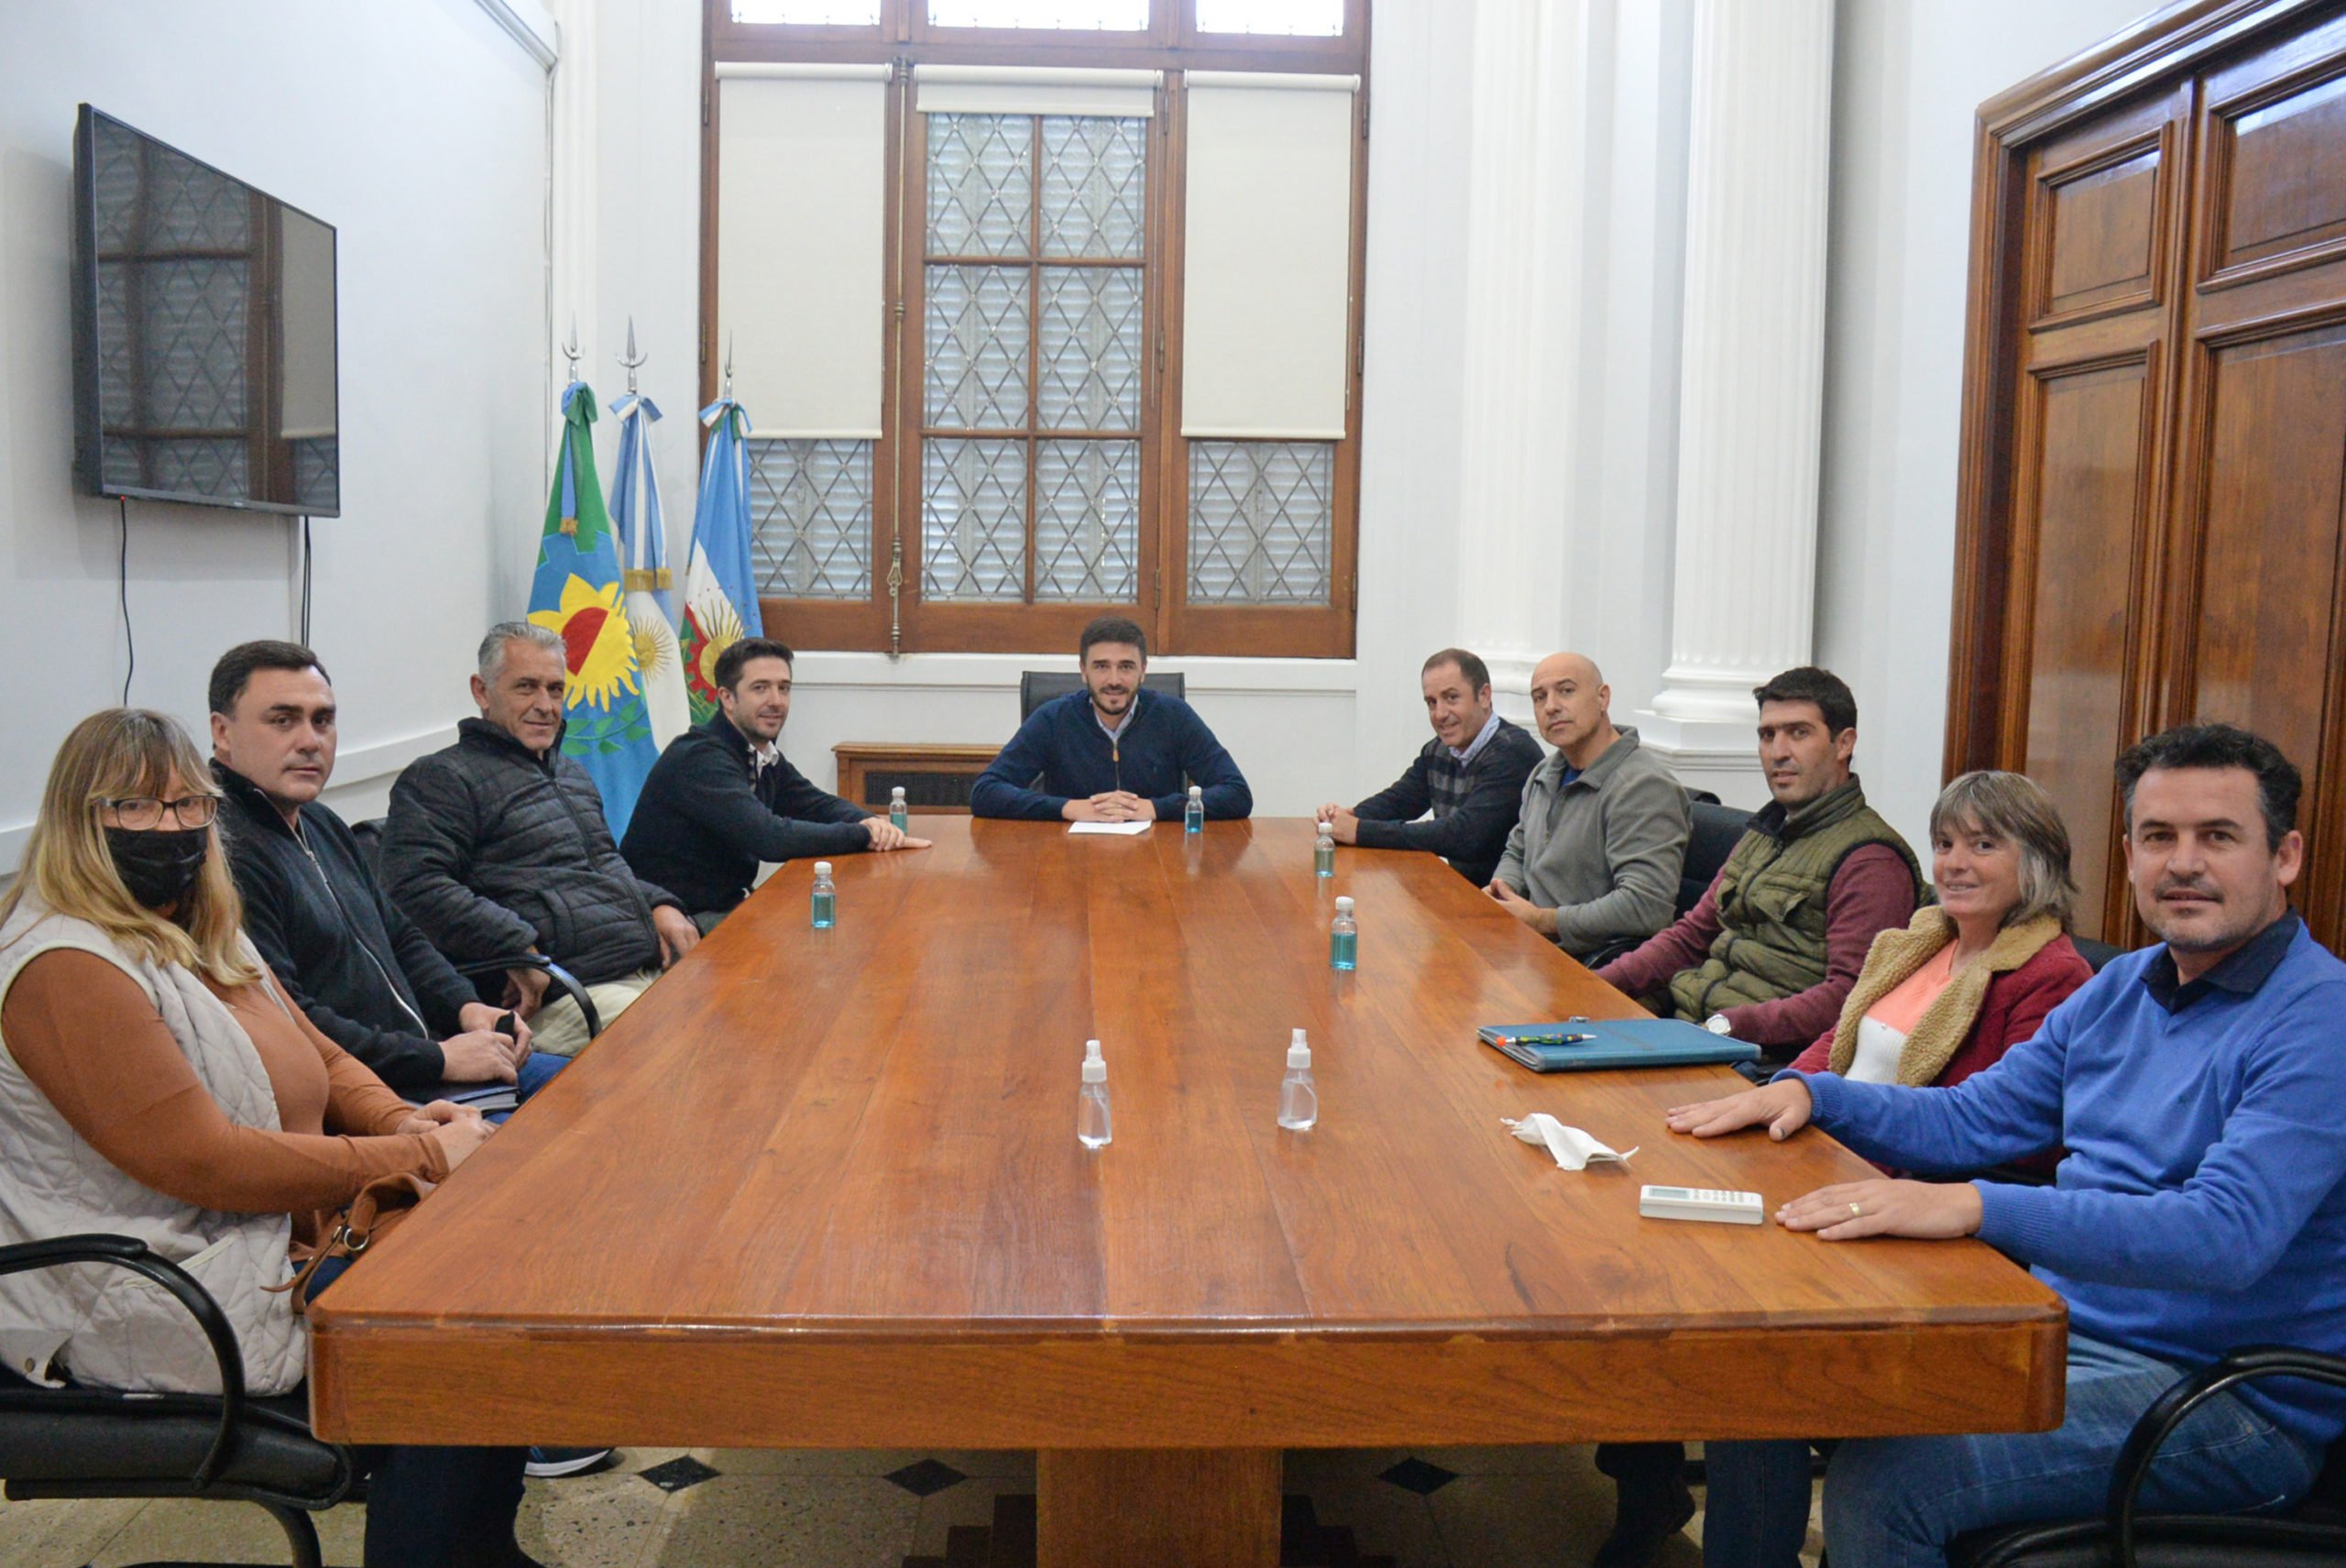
(2155, 421)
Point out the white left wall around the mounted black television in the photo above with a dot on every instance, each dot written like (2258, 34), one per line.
(419, 130)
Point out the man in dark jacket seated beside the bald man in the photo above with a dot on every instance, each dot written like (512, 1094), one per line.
(1470, 778)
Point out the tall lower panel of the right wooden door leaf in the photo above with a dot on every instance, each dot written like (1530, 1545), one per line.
(2267, 583)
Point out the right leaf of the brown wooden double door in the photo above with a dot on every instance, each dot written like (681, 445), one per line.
(2256, 597)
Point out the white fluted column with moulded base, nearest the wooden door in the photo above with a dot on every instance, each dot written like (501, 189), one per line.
(1754, 384)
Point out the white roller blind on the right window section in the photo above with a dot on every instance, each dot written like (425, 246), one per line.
(1268, 257)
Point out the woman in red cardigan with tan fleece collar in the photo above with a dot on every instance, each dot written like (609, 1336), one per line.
(1934, 1003)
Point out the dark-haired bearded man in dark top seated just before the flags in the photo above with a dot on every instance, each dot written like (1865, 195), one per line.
(724, 799)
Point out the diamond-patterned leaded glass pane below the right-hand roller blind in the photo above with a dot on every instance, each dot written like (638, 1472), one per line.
(1261, 522)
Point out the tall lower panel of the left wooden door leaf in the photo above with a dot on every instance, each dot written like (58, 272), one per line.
(2094, 442)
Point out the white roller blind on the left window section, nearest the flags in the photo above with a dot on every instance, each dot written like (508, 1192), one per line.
(801, 245)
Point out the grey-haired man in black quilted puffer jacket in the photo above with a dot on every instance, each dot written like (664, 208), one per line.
(499, 846)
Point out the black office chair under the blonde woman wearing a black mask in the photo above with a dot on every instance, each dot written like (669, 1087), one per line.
(88, 1442)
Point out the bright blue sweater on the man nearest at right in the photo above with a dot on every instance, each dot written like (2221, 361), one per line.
(2202, 1205)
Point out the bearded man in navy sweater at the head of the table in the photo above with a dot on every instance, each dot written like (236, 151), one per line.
(1111, 752)
